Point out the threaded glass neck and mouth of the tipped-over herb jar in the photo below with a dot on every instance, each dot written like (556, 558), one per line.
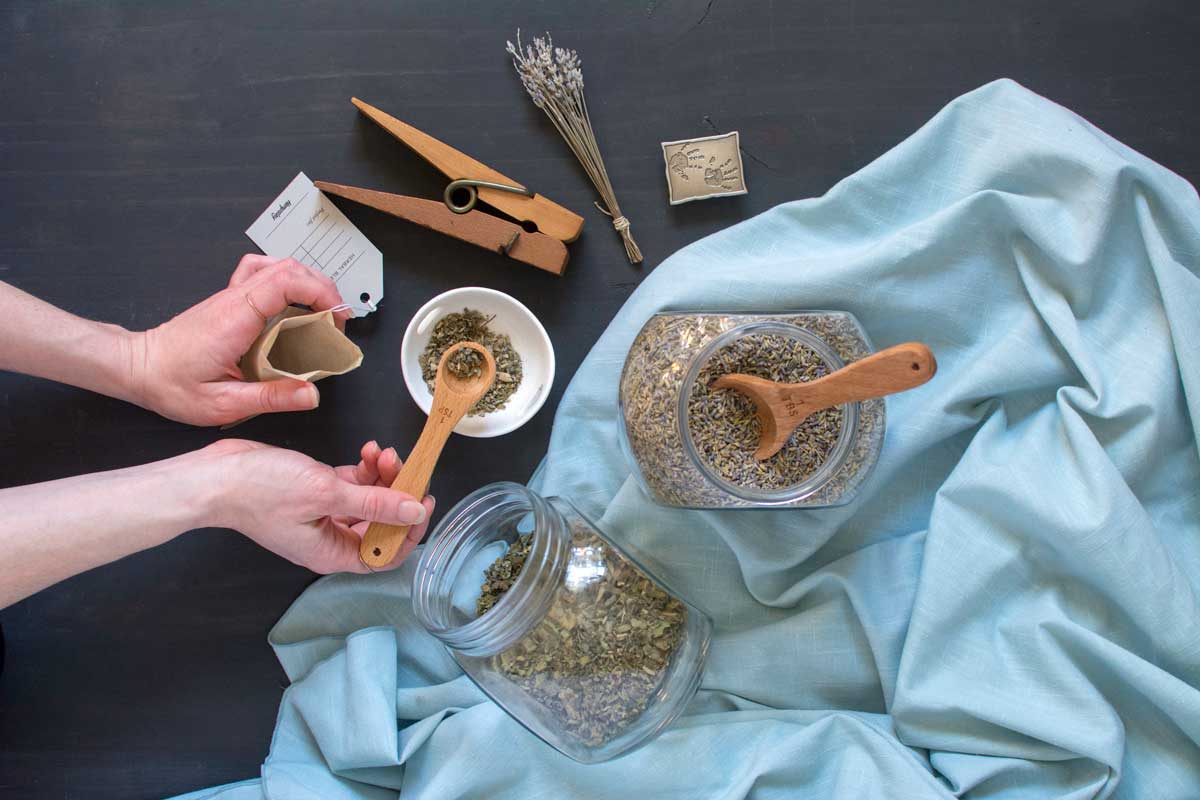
(451, 570)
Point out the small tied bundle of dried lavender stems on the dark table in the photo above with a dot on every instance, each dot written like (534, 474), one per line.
(554, 77)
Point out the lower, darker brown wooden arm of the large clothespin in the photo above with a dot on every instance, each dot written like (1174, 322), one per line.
(478, 228)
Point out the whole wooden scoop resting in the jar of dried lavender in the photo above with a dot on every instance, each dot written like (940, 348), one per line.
(782, 407)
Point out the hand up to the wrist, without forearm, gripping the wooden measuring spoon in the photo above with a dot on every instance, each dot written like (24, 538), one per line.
(310, 514)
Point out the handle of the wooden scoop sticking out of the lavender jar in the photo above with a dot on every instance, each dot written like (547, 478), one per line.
(887, 372)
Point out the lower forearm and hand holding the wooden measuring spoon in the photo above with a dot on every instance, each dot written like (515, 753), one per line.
(308, 513)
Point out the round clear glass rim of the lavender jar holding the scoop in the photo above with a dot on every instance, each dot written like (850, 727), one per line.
(832, 464)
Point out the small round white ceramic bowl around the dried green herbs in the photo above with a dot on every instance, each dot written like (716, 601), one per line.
(530, 341)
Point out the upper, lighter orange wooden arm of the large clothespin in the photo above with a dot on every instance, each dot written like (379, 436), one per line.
(551, 219)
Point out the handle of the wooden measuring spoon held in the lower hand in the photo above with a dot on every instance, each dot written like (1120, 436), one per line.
(382, 544)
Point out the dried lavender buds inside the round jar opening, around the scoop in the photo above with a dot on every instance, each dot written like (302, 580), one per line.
(725, 426)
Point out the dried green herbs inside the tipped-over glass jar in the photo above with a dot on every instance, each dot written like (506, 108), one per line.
(603, 648)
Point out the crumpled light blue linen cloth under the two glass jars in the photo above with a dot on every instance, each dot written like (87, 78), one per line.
(1010, 611)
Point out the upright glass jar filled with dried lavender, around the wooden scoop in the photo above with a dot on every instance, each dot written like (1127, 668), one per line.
(693, 447)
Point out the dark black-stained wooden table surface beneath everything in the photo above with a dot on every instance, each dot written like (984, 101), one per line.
(140, 140)
